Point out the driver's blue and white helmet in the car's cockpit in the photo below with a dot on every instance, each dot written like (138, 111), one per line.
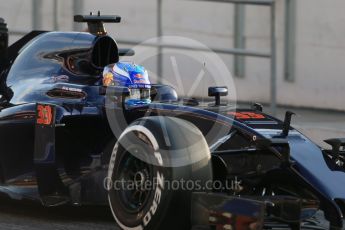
(130, 75)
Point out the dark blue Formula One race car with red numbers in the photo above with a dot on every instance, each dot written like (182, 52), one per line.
(66, 138)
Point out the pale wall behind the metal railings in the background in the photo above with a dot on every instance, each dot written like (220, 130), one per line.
(320, 47)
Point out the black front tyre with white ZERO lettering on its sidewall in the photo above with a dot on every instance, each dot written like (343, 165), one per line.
(154, 168)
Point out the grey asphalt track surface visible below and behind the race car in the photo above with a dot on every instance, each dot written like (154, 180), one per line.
(17, 215)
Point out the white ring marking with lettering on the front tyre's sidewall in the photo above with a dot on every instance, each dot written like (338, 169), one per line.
(160, 179)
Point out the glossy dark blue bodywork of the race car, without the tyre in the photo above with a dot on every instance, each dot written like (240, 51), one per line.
(66, 160)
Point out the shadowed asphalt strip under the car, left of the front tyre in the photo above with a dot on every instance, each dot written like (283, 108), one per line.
(18, 215)
